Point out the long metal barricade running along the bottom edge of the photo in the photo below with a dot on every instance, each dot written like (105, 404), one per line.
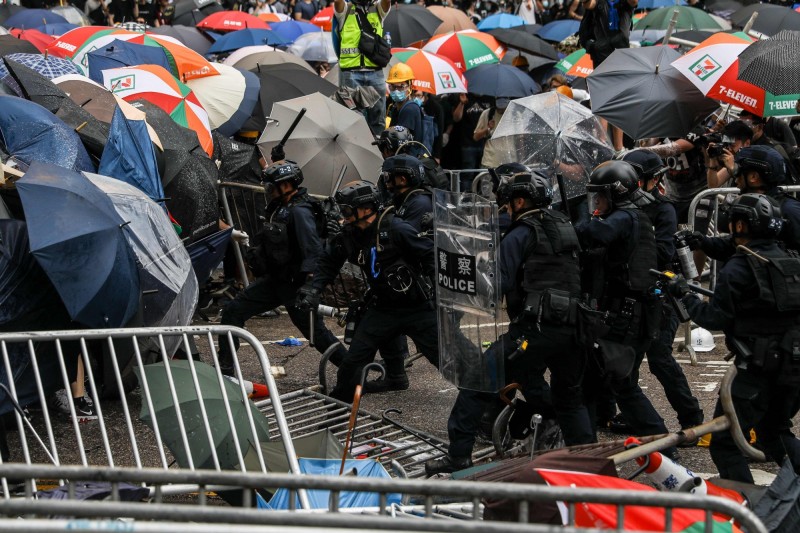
(208, 518)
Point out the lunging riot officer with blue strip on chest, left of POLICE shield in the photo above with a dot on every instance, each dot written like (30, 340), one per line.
(398, 264)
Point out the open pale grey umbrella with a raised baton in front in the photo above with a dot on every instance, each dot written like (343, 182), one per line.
(328, 137)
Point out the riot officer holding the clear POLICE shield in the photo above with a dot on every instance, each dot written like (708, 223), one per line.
(540, 277)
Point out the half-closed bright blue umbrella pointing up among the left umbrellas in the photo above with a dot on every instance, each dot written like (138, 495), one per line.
(129, 156)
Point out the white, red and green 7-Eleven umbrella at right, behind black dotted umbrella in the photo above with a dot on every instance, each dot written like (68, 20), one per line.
(713, 67)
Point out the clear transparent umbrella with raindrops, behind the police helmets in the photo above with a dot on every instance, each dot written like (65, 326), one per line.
(549, 131)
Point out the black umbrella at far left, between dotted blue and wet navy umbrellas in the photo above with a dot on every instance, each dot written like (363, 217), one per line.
(44, 92)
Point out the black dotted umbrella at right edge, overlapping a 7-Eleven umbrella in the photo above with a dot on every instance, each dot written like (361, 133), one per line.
(767, 63)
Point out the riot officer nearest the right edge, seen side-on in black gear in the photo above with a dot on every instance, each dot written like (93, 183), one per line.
(756, 303)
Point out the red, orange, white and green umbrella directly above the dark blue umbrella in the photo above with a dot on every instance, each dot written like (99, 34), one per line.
(467, 48)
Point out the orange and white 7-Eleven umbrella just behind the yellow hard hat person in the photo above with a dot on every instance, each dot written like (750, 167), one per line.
(432, 73)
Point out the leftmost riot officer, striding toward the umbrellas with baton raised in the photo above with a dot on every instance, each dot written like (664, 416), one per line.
(284, 257)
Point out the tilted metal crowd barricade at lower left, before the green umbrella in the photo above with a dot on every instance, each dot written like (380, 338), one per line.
(118, 438)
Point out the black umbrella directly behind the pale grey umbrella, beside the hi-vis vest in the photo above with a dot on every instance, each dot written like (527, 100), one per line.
(287, 81)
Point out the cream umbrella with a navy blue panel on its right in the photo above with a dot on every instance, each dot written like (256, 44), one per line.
(229, 99)
